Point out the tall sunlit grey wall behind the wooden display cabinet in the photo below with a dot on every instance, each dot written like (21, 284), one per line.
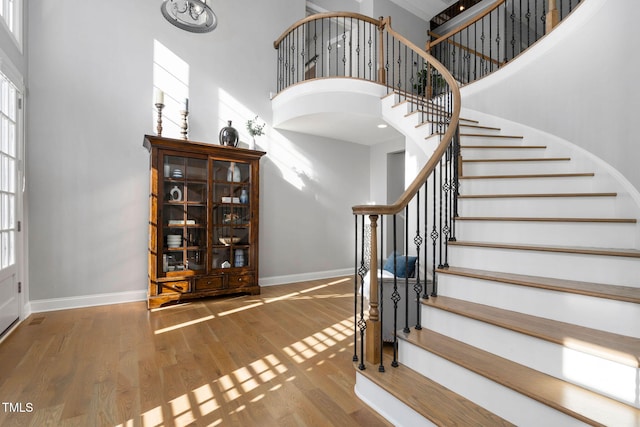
(90, 103)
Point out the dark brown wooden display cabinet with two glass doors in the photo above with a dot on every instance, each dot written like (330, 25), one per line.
(203, 220)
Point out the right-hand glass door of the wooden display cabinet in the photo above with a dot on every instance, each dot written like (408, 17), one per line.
(231, 214)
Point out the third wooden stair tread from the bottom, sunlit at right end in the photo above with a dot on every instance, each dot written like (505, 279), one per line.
(607, 345)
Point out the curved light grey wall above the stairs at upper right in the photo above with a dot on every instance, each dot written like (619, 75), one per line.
(579, 83)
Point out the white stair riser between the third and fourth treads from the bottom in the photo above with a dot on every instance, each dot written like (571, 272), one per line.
(618, 317)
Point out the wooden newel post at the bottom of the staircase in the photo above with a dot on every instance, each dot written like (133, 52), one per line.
(374, 330)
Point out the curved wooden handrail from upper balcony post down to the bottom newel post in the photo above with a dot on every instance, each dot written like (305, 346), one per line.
(433, 161)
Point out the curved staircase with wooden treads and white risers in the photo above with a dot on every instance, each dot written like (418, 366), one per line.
(537, 318)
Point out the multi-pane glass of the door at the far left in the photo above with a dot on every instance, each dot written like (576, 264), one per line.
(8, 171)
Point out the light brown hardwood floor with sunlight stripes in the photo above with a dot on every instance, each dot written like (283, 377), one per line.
(282, 358)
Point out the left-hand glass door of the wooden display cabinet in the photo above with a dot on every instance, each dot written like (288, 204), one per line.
(184, 214)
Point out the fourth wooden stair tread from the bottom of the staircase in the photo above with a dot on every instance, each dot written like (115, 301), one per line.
(599, 290)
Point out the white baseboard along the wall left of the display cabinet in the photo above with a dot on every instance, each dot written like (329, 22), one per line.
(39, 306)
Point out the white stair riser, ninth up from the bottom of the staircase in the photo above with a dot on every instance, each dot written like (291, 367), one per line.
(517, 168)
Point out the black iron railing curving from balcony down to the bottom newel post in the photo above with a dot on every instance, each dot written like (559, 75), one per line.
(346, 45)
